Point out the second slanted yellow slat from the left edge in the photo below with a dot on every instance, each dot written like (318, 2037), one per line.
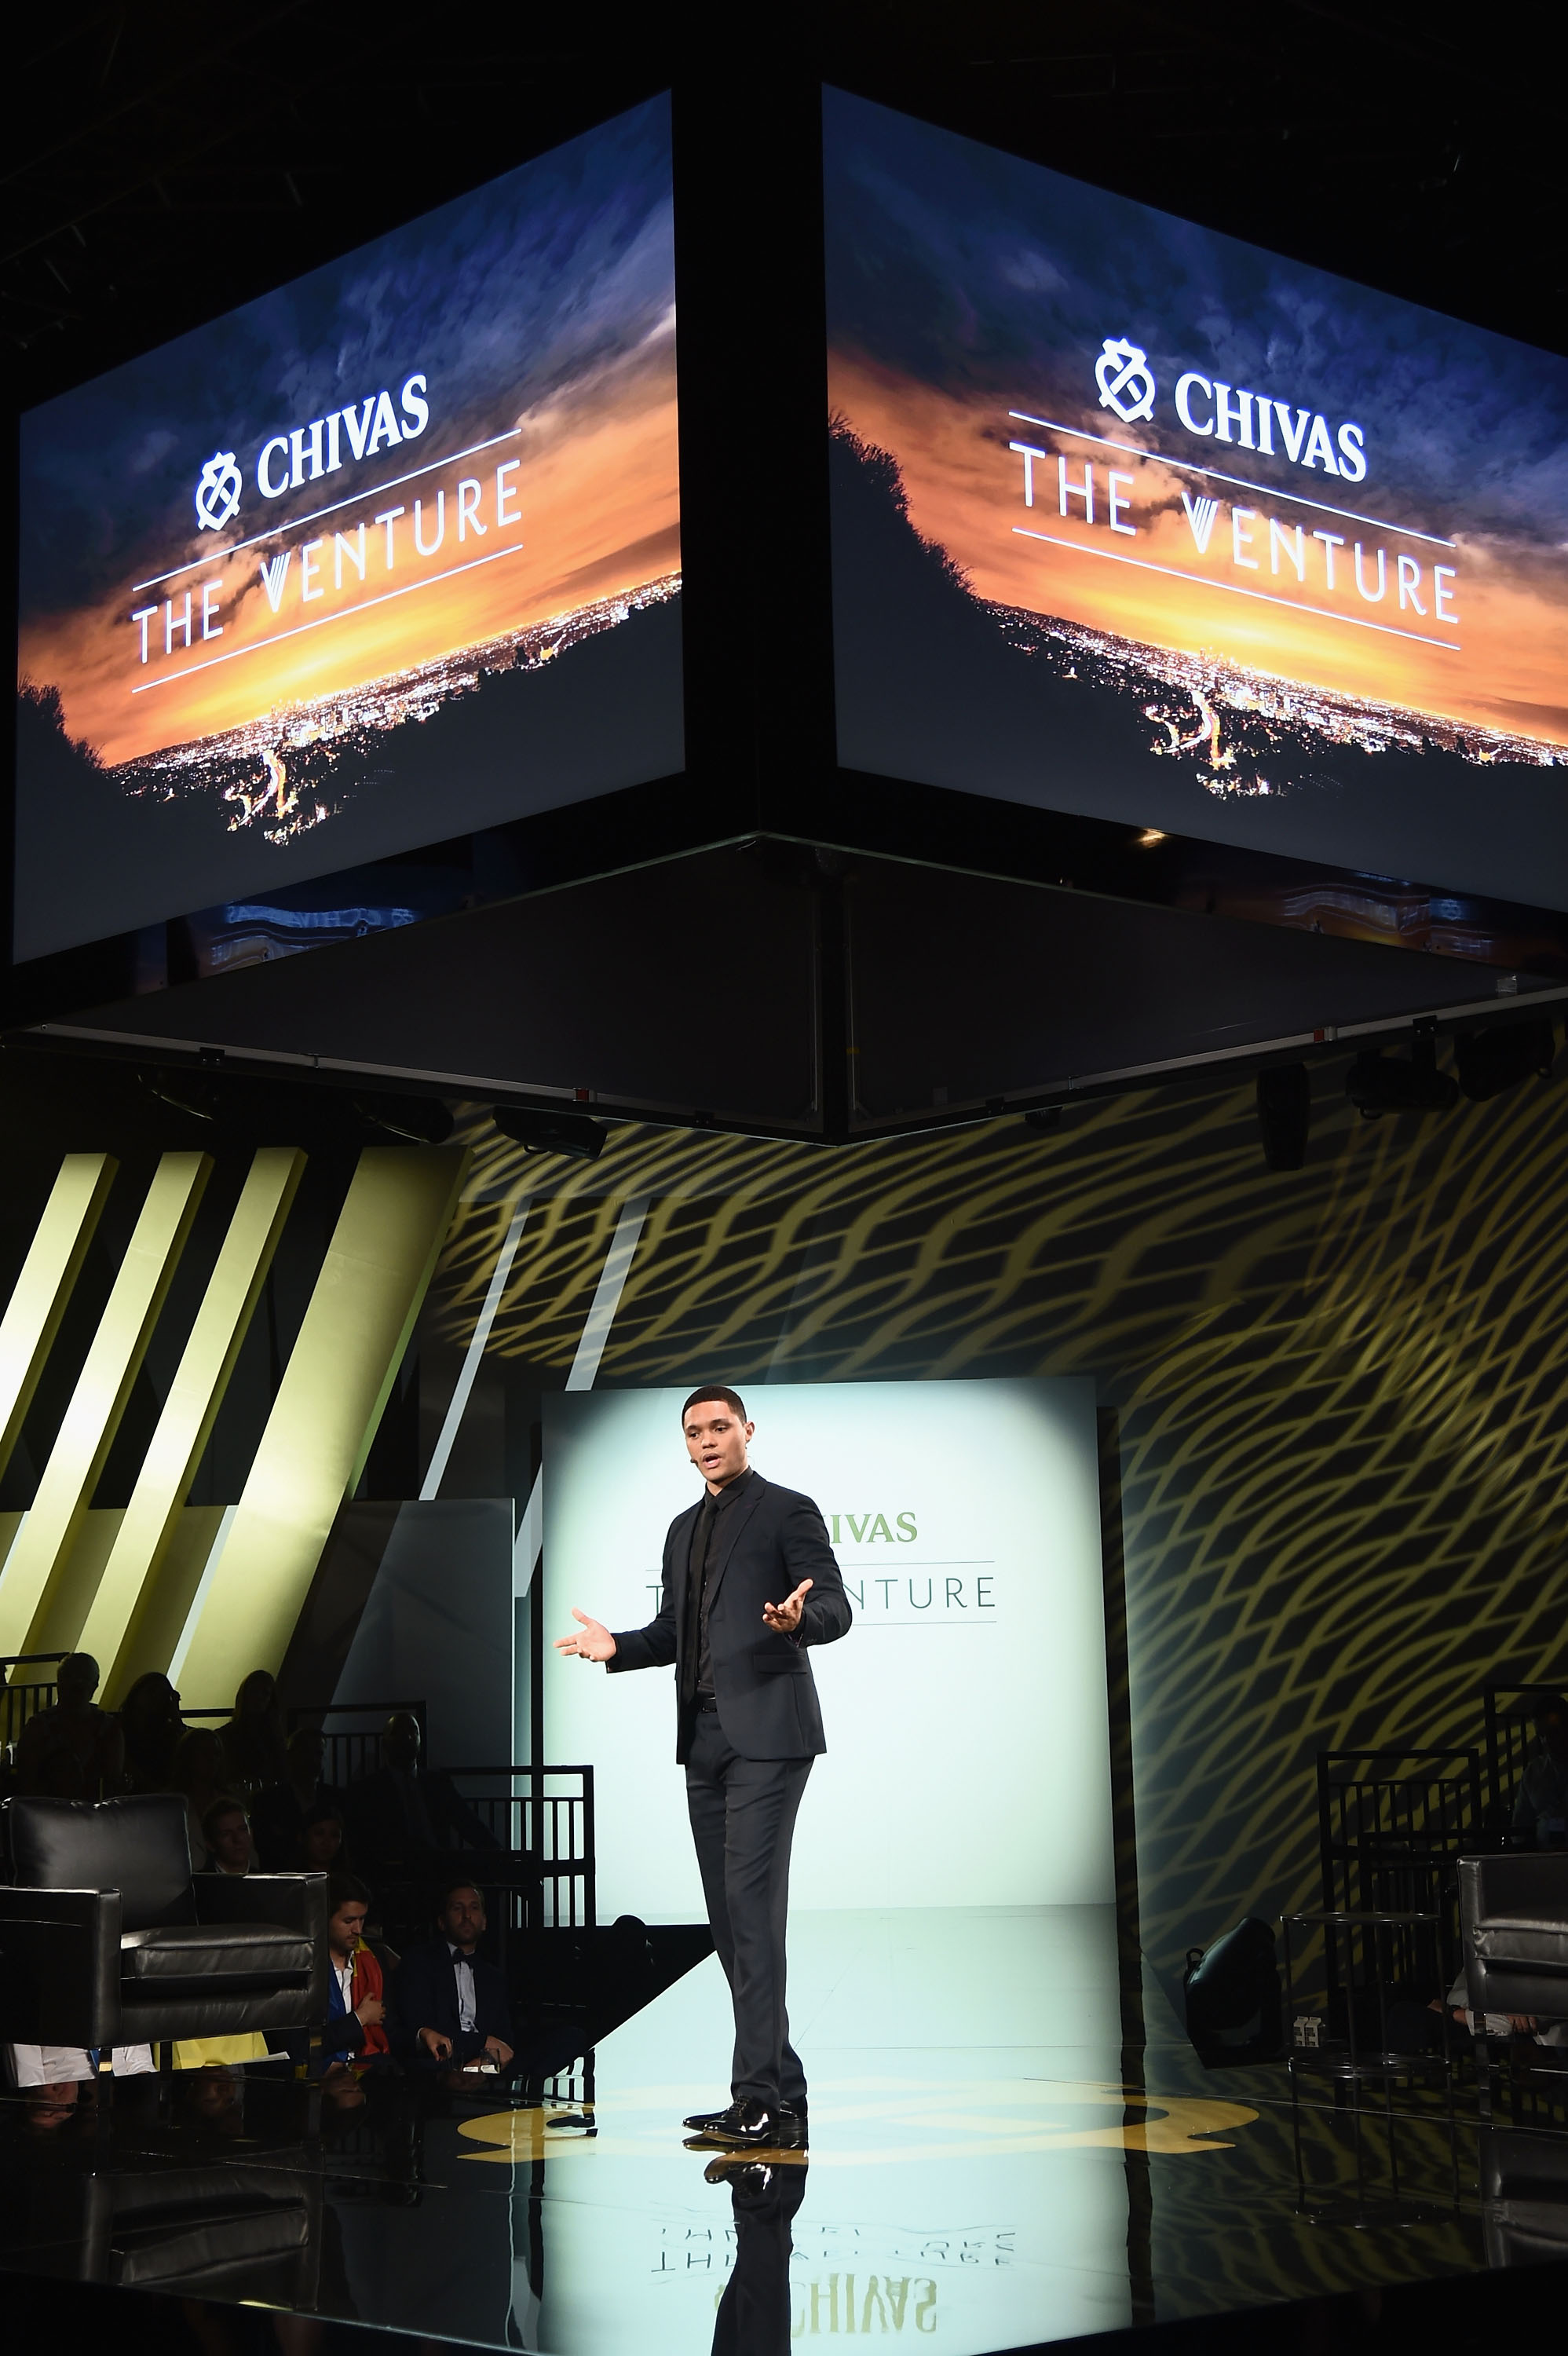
(44, 1601)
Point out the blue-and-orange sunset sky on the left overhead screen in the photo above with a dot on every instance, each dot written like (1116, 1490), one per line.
(538, 317)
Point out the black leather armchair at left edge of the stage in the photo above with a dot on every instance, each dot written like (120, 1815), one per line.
(107, 1938)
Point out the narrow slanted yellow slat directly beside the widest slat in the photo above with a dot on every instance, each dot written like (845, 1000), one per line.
(138, 1613)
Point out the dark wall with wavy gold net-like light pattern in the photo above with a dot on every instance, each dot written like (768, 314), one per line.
(1338, 1396)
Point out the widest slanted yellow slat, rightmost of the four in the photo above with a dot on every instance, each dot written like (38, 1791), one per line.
(326, 1415)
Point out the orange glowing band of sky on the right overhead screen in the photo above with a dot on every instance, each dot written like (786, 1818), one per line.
(1501, 668)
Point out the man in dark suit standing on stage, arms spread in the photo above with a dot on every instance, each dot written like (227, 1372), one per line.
(748, 1730)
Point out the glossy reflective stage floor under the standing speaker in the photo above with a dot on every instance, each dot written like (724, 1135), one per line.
(999, 2162)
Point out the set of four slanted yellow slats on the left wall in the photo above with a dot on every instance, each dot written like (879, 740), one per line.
(124, 1582)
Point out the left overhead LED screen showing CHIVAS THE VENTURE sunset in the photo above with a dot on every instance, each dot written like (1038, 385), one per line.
(373, 562)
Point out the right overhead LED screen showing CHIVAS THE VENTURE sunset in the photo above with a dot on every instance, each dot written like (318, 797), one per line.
(1148, 524)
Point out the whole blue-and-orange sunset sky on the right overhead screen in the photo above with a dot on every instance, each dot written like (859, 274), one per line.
(969, 303)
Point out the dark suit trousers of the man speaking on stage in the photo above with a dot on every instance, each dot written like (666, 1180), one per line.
(743, 1822)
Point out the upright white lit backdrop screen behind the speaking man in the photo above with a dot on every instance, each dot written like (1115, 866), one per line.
(966, 1712)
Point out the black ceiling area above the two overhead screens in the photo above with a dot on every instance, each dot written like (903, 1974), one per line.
(171, 161)
